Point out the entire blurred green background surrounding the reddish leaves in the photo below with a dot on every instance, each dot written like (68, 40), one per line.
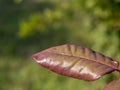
(29, 26)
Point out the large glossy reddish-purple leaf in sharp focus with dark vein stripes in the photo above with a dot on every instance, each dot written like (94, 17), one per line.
(76, 61)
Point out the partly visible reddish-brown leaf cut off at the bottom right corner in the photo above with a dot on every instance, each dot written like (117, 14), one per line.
(114, 85)
